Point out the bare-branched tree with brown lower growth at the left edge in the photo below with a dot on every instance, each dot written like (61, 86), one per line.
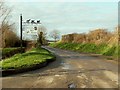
(6, 28)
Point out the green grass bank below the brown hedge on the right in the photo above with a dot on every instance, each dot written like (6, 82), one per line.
(103, 49)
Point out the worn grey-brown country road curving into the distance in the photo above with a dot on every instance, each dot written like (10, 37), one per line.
(71, 69)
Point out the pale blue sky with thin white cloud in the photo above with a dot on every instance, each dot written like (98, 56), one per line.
(67, 17)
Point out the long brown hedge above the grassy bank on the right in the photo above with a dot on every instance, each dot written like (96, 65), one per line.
(97, 36)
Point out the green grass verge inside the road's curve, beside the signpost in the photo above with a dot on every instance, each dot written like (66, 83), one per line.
(28, 59)
